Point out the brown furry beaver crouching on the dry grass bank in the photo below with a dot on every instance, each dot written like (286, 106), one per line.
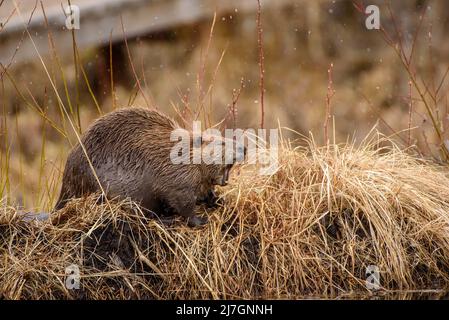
(129, 149)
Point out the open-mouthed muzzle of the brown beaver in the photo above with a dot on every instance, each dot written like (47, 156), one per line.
(218, 164)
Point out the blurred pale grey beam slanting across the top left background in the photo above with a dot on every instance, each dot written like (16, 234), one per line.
(100, 20)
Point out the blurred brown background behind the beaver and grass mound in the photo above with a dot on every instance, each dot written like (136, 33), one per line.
(178, 57)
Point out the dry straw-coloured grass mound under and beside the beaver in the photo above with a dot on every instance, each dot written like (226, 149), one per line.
(310, 229)
